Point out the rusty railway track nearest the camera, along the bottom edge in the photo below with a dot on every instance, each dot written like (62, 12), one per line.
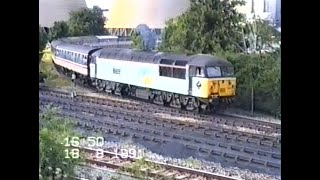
(155, 170)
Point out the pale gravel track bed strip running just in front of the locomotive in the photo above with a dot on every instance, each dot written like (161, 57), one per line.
(173, 112)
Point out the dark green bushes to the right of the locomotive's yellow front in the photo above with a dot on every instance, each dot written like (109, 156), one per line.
(262, 73)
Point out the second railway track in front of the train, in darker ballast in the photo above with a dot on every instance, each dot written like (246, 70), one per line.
(206, 129)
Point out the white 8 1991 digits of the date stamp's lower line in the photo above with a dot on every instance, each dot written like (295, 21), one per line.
(122, 153)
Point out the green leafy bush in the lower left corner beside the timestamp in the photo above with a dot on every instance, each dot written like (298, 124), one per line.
(52, 149)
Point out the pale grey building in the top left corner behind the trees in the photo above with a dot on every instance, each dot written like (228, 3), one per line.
(57, 10)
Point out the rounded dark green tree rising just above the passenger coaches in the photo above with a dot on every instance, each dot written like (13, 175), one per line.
(86, 22)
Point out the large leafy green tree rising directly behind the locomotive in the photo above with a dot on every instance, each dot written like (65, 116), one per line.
(207, 26)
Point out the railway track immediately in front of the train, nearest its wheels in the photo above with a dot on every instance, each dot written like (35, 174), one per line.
(227, 120)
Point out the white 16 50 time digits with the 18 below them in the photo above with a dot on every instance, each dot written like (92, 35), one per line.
(72, 145)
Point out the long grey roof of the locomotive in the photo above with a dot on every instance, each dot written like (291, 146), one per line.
(160, 57)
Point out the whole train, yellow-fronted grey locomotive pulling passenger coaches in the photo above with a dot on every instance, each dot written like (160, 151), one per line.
(198, 82)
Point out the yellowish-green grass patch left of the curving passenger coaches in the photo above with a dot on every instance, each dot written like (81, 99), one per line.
(53, 79)
